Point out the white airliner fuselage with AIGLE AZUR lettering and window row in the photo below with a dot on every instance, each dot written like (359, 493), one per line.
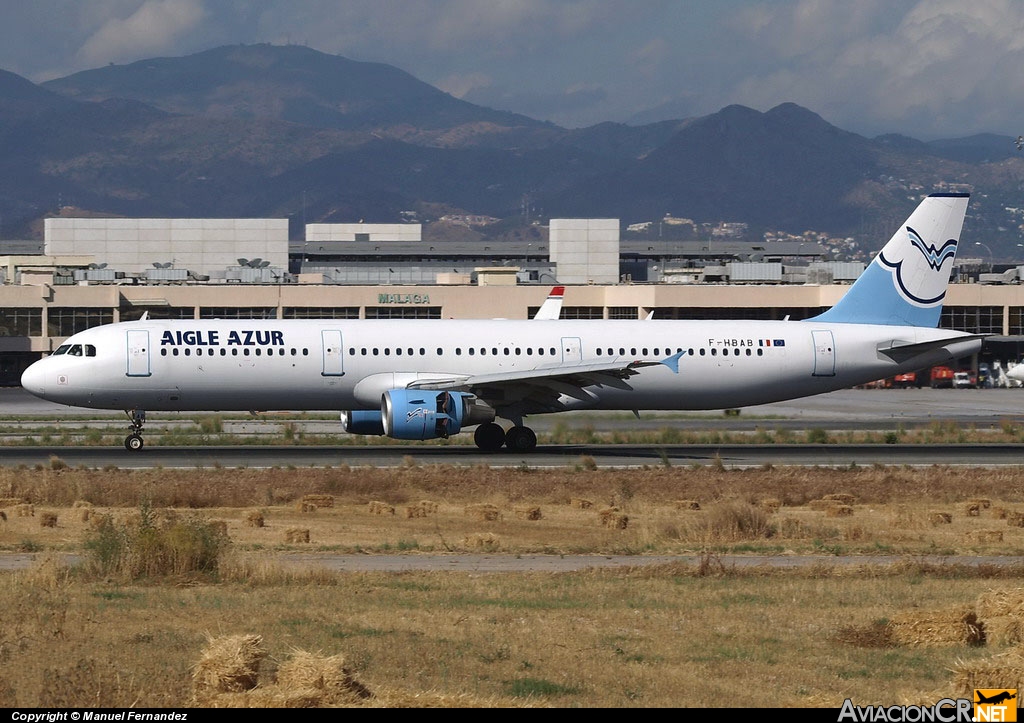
(223, 365)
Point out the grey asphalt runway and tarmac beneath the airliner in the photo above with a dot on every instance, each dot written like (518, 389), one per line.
(847, 410)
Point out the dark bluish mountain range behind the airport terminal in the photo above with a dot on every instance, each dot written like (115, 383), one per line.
(287, 132)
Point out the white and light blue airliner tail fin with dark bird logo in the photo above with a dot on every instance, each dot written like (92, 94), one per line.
(907, 282)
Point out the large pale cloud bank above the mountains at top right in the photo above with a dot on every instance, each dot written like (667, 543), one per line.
(942, 68)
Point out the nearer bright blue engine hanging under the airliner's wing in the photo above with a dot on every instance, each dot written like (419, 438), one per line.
(421, 414)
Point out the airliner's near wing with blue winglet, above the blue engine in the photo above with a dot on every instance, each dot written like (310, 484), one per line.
(540, 389)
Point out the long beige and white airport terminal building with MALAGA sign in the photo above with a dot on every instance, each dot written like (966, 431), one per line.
(90, 272)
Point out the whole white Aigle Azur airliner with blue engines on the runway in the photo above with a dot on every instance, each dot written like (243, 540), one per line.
(431, 379)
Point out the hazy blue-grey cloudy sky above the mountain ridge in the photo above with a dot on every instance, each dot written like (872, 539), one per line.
(928, 69)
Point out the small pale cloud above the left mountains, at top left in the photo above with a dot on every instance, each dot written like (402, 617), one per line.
(154, 27)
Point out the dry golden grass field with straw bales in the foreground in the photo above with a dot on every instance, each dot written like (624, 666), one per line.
(245, 630)
